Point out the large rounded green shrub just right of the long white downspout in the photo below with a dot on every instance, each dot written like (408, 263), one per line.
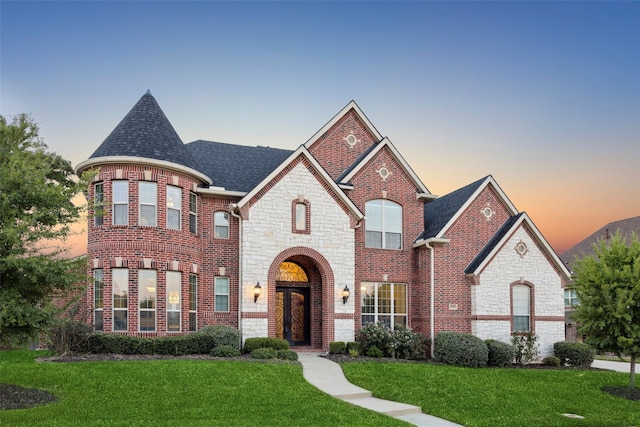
(454, 348)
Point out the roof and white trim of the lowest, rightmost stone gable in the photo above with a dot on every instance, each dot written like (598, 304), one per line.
(495, 244)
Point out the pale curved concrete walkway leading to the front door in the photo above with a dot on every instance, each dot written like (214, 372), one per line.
(328, 377)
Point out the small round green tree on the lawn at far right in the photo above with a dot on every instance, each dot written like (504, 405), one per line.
(608, 288)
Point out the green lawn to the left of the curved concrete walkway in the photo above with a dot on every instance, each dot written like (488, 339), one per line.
(175, 393)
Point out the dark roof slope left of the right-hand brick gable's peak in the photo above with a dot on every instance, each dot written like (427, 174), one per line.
(438, 213)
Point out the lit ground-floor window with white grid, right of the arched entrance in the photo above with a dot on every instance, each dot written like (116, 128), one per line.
(385, 303)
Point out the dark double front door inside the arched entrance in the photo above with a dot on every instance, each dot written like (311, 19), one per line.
(292, 315)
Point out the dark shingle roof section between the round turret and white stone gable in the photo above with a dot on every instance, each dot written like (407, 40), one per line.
(236, 167)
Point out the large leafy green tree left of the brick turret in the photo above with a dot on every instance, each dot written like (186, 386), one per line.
(36, 208)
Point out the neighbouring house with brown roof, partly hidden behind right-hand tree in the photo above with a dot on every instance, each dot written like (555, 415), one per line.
(585, 248)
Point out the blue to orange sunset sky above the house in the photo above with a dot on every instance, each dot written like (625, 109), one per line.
(544, 96)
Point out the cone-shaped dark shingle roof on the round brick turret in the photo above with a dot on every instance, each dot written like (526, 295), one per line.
(146, 132)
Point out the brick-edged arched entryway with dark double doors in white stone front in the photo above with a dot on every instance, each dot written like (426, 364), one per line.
(301, 285)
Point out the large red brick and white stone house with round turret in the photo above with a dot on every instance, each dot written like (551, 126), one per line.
(306, 244)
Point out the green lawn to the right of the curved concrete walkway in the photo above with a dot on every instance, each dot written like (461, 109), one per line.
(501, 397)
